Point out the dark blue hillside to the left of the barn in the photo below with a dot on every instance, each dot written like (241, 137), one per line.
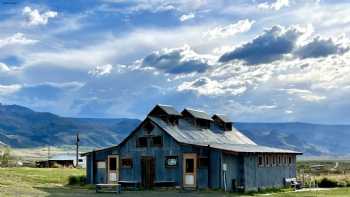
(22, 127)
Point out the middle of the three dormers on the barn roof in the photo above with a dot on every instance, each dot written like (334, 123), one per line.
(198, 118)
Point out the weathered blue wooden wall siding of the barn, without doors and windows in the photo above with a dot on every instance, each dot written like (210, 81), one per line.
(241, 167)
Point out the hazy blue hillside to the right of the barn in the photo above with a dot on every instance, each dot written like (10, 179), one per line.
(312, 139)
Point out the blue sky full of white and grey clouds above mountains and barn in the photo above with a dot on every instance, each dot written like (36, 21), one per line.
(257, 60)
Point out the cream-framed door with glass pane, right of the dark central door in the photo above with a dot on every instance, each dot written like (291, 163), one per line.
(189, 170)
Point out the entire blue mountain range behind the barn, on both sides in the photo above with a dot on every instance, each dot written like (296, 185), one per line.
(22, 127)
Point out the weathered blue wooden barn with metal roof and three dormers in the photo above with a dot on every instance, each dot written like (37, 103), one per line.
(190, 150)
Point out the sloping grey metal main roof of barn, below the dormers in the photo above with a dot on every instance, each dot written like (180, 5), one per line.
(233, 140)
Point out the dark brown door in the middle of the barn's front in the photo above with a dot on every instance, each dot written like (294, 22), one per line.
(147, 172)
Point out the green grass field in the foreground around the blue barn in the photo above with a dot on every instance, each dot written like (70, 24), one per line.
(39, 182)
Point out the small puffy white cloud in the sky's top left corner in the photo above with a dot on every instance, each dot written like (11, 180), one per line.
(34, 17)
